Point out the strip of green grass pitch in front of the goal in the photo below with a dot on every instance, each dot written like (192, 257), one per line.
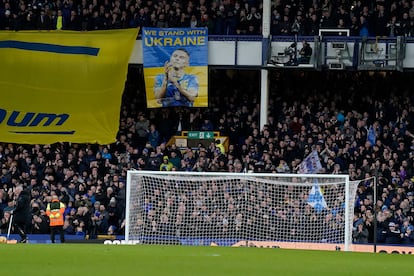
(119, 260)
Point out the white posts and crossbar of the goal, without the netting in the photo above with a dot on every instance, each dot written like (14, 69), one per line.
(349, 200)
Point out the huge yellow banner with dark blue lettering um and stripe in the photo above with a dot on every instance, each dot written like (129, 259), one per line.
(62, 86)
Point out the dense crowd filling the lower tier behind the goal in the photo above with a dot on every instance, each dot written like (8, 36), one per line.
(360, 124)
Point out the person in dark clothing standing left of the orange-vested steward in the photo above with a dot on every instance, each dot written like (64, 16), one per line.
(21, 212)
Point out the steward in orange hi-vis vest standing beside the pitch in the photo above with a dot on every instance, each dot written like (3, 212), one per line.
(55, 210)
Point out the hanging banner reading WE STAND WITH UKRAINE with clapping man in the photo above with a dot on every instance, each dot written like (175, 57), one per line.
(175, 67)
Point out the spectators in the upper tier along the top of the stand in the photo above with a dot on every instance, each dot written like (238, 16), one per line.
(225, 17)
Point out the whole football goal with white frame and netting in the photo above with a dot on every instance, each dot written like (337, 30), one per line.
(231, 209)
